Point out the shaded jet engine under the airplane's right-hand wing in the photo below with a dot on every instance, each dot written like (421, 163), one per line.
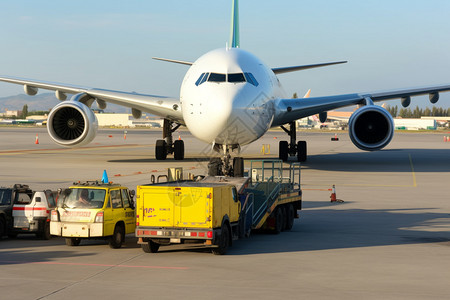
(371, 128)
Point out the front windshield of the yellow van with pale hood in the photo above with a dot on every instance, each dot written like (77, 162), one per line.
(83, 198)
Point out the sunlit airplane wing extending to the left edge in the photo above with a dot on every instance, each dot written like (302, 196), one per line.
(165, 107)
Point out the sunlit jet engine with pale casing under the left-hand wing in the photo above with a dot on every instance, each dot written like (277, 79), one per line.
(71, 123)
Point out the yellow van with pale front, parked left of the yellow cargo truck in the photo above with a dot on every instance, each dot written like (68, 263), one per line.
(94, 210)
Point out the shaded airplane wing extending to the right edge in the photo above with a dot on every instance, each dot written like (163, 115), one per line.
(289, 110)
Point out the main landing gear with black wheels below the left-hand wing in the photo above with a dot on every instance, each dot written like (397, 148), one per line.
(167, 145)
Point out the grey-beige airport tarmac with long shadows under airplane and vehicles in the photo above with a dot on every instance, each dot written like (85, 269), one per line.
(389, 238)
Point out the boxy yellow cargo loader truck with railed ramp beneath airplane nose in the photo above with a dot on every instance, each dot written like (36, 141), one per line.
(214, 211)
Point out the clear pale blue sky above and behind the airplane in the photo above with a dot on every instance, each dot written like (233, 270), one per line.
(109, 44)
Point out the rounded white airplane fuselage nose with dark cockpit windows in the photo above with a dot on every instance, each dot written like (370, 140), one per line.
(229, 113)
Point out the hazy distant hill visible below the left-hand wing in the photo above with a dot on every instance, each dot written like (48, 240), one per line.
(43, 102)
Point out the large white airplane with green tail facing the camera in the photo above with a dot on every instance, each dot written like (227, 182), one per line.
(228, 98)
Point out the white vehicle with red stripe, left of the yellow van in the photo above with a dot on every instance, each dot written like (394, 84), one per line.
(32, 215)
